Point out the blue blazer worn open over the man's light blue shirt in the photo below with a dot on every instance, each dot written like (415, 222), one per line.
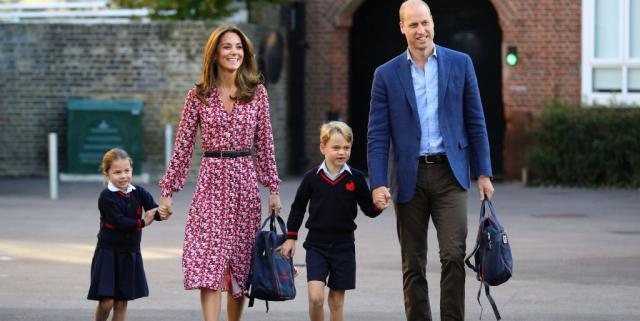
(394, 129)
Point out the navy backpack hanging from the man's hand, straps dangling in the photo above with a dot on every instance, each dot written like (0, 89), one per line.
(492, 254)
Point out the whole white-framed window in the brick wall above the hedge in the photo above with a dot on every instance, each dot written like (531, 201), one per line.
(611, 52)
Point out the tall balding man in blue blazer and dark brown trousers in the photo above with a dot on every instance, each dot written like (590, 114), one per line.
(426, 138)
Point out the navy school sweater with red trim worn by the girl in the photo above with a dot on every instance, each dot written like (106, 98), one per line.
(122, 218)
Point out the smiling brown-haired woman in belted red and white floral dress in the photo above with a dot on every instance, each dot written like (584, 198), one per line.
(230, 107)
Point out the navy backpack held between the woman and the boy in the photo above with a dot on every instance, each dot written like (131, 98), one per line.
(271, 277)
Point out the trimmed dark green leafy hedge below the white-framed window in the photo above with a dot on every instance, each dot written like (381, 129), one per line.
(586, 146)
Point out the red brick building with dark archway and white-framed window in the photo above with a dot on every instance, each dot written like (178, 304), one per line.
(348, 38)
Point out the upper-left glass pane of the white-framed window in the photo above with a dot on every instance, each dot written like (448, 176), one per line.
(607, 28)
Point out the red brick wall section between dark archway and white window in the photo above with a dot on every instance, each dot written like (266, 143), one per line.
(547, 34)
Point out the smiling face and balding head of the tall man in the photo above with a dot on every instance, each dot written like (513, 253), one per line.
(417, 27)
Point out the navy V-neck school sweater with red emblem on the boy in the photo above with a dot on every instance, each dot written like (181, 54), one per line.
(332, 206)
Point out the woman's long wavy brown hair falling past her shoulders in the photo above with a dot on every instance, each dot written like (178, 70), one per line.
(247, 77)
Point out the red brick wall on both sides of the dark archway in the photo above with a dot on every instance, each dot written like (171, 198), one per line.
(546, 32)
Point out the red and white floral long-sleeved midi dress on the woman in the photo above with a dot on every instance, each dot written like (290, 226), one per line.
(225, 212)
